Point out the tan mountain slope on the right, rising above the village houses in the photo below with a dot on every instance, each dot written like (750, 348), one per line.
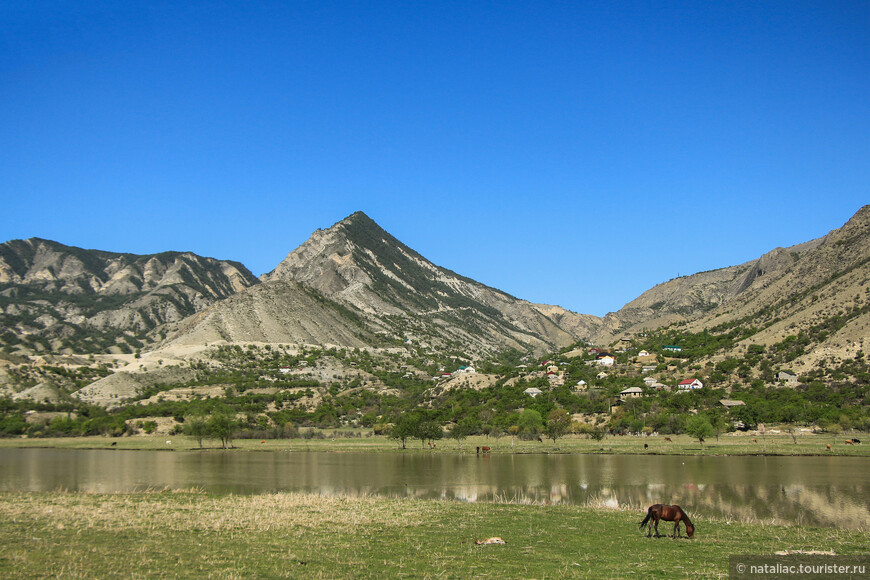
(815, 295)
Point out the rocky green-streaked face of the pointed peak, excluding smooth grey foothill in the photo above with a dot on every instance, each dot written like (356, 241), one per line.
(395, 290)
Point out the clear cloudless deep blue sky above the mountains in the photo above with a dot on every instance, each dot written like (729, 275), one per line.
(571, 153)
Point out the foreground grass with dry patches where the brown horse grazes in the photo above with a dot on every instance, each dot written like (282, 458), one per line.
(196, 535)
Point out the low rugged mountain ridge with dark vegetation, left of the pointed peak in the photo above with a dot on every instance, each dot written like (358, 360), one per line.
(61, 298)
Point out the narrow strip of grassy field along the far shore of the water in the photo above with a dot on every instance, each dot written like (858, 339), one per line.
(728, 444)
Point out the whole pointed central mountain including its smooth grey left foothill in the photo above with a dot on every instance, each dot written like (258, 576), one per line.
(355, 284)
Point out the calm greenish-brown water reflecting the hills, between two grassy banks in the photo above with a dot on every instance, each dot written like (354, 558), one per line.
(827, 491)
